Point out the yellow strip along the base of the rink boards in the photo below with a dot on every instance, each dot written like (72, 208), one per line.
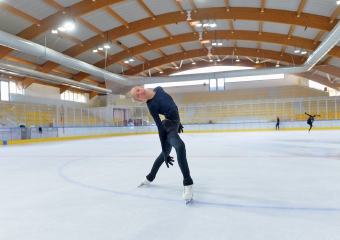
(40, 140)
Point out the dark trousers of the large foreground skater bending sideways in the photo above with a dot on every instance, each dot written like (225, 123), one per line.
(173, 140)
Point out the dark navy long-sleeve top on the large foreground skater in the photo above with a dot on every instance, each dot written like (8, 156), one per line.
(162, 103)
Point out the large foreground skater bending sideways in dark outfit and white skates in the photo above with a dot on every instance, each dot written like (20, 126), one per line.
(159, 102)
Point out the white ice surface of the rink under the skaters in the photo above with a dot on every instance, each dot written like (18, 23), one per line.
(248, 185)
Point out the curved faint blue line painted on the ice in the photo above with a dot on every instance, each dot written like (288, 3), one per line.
(195, 201)
